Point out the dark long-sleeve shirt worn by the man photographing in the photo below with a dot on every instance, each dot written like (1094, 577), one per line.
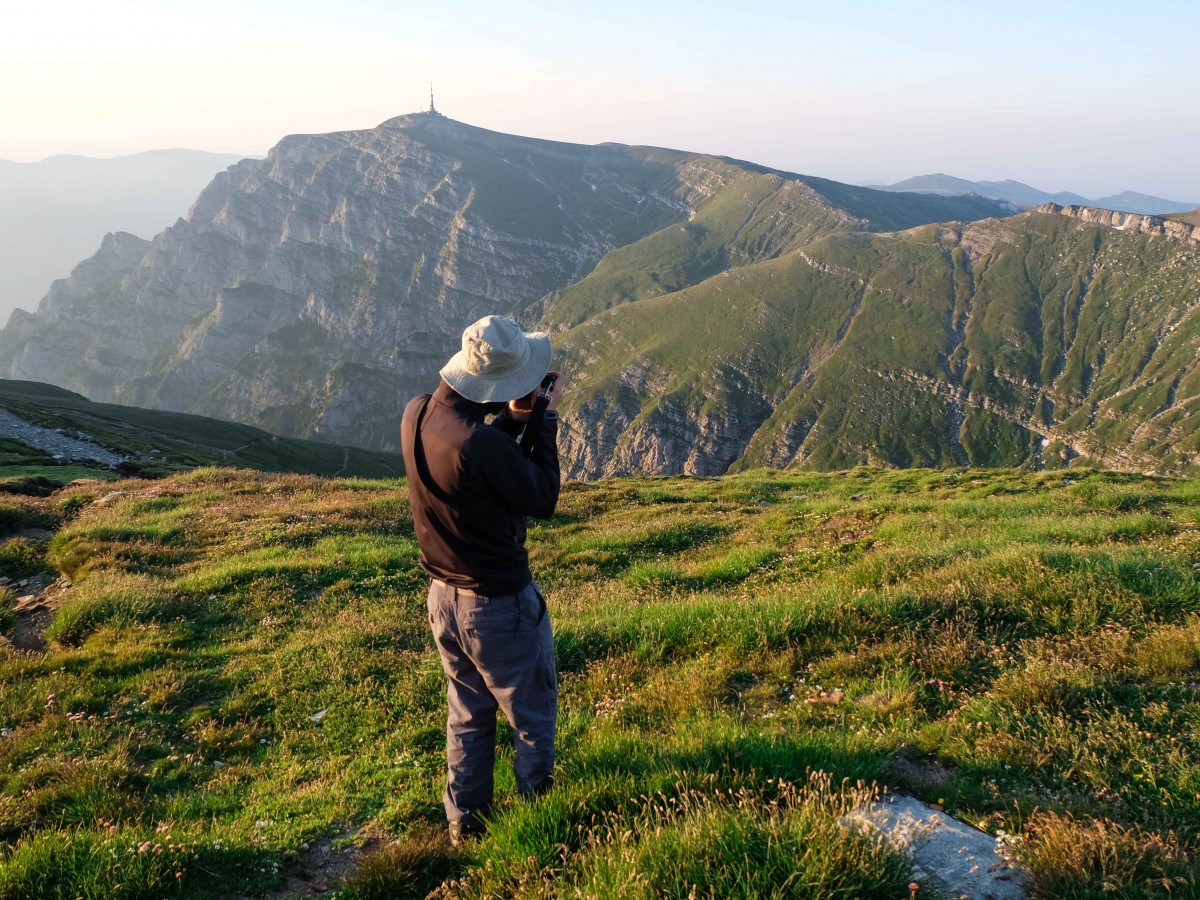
(475, 490)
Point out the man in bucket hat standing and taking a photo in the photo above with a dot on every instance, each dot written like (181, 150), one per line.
(471, 489)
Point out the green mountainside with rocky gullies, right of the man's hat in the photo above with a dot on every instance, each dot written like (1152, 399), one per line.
(939, 346)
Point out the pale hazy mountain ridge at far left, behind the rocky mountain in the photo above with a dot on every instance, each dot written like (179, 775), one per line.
(56, 212)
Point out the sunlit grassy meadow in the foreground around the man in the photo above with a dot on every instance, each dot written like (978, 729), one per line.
(239, 695)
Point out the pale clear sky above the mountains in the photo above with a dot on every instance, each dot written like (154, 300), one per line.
(1094, 98)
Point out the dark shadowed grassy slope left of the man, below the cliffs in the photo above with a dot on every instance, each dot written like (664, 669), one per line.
(184, 441)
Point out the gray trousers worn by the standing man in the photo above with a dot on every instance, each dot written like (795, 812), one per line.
(499, 653)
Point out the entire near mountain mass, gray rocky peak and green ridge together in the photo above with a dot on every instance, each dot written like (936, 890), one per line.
(710, 314)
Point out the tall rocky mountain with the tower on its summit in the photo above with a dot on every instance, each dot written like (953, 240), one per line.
(315, 292)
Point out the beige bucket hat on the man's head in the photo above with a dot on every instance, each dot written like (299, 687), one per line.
(499, 362)
